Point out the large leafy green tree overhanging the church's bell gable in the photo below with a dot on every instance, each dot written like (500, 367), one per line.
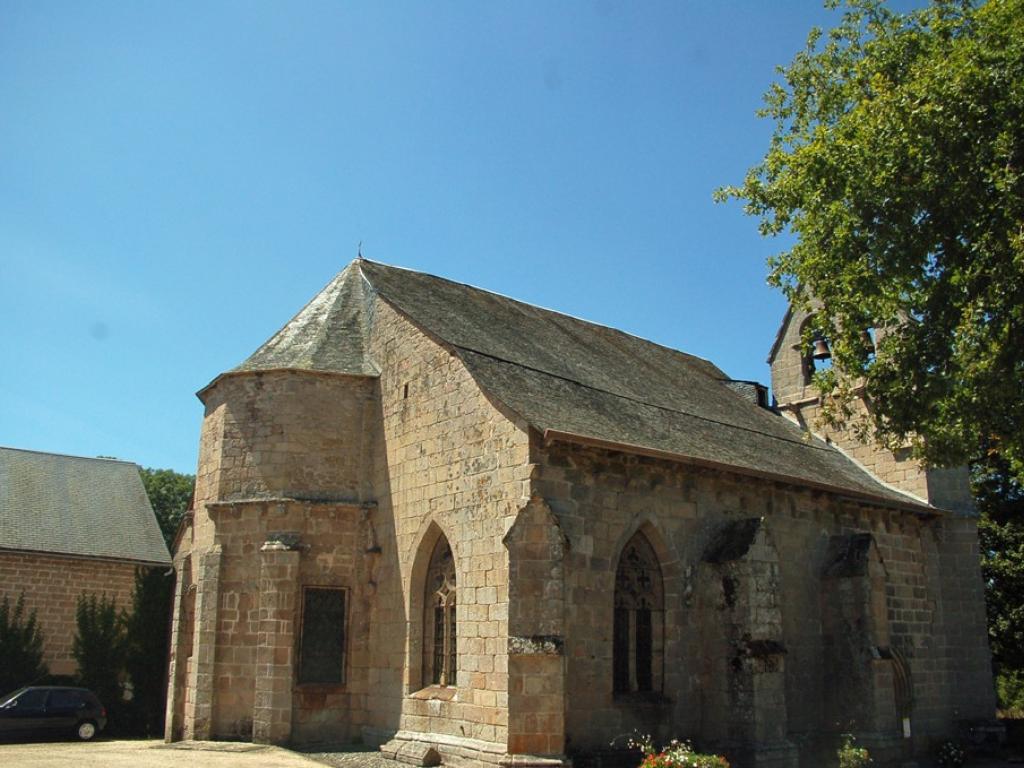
(898, 165)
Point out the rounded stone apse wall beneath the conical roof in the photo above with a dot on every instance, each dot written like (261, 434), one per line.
(282, 454)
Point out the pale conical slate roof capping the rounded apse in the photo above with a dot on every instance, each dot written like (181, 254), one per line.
(328, 335)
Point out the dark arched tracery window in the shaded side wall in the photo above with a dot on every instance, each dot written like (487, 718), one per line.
(639, 622)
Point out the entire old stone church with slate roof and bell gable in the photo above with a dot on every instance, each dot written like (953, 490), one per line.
(476, 532)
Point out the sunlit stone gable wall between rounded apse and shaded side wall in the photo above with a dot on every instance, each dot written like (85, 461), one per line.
(447, 460)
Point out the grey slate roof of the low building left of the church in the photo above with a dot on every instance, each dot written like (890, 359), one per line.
(71, 505)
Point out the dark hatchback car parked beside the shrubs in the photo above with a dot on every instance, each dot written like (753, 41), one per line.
(52, 711)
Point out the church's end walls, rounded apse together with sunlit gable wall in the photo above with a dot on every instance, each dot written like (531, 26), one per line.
(312, 480)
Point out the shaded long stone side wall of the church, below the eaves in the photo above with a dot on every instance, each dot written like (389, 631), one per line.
(935, 617)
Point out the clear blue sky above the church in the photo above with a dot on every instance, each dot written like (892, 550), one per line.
(179, 180)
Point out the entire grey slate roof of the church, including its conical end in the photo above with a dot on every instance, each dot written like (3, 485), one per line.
(570, 378)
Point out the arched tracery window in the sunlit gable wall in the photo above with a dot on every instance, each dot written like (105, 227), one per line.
(440, 657)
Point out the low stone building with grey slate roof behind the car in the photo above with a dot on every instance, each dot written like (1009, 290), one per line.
(72, 527)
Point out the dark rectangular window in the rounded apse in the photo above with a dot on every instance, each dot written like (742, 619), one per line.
(322, 650)
